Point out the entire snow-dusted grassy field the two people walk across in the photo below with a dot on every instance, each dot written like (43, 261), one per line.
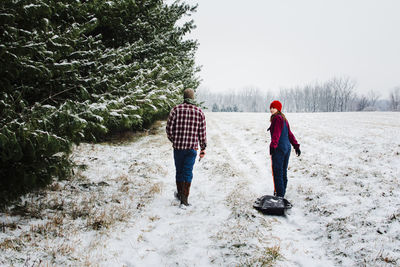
(120, 210)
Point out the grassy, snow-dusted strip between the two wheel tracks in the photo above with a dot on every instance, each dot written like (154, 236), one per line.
(240, 240)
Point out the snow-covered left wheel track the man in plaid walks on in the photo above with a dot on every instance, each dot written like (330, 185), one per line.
(168, 235)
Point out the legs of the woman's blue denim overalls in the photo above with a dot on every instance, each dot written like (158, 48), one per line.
(280, 161)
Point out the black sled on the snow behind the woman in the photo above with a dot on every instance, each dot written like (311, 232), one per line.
(272, 205)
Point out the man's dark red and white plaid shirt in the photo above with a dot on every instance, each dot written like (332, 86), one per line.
(186, 127)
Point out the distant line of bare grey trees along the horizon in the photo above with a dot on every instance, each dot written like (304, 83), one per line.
(335, 95)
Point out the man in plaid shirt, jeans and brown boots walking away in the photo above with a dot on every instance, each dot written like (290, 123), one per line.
(186, 129)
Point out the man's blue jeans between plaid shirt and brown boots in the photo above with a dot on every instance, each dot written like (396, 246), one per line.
(184, 161)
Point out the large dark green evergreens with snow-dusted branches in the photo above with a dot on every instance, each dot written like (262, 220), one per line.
(75, 71)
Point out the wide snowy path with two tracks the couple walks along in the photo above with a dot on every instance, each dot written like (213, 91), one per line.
(221, 228)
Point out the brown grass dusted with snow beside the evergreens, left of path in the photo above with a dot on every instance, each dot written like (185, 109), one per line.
(51, 222)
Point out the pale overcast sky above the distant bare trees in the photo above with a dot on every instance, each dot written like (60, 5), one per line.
(272, 44)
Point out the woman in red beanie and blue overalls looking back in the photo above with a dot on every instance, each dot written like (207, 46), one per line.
(279, 149)
